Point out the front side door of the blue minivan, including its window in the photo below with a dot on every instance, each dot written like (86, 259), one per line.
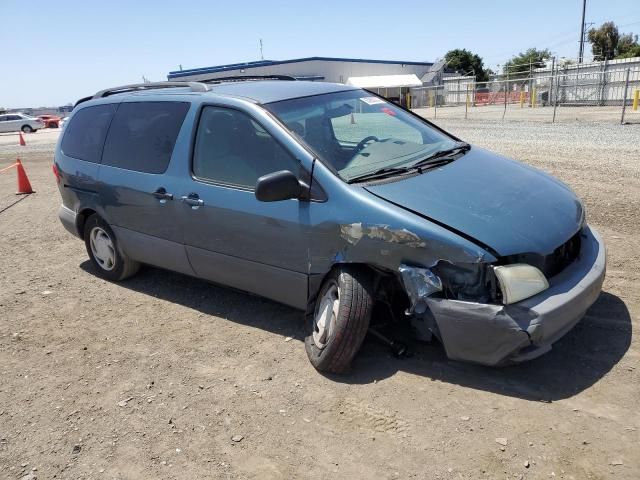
(232, 238)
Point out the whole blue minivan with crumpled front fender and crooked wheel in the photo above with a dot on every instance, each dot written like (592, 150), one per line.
(335, 201)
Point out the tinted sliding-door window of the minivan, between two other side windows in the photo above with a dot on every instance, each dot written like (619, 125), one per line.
(143, 134)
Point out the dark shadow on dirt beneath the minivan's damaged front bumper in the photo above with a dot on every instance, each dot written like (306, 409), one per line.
(577, 361)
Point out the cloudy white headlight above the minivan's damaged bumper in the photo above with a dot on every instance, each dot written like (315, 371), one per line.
(519, 281)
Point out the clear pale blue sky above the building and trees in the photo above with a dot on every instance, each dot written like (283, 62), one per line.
(55, 52)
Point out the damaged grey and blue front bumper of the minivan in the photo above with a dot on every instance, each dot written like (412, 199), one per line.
(495, 334)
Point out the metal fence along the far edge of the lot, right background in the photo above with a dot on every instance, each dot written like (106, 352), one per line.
(609, 96)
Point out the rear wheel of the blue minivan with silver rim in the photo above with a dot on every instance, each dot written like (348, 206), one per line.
(107, 258)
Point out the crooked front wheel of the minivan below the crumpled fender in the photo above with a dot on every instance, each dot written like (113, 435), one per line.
(345, 300)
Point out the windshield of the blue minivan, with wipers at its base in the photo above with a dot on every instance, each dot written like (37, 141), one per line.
(358, 133)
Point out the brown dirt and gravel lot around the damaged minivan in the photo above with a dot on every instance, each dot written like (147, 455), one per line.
(153, 377)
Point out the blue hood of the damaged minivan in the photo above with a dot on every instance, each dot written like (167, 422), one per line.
(500, 203)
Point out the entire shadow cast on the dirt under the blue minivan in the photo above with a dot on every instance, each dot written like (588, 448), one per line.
(577, 361)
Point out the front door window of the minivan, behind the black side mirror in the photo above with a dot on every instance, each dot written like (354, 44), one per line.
(232, 148)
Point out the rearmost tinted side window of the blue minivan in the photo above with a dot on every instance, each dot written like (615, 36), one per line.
(84, 136)
